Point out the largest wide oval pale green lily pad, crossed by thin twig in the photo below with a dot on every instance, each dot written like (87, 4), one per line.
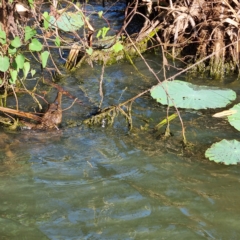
(187, 95)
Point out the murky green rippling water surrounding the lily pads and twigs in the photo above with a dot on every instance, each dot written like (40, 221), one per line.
(106, 183)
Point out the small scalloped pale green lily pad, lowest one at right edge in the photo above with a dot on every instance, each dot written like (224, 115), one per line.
(225, 151)
